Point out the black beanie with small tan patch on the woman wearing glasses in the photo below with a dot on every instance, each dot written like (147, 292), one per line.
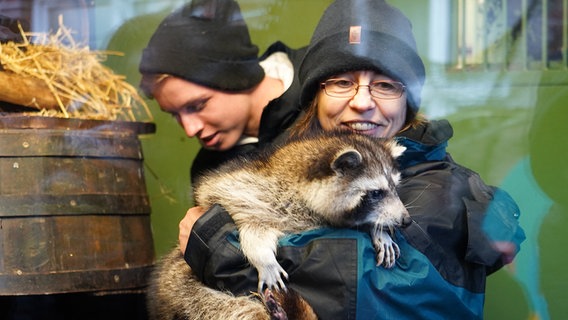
(362, 35)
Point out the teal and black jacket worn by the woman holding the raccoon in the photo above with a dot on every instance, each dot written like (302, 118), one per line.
(446, 252)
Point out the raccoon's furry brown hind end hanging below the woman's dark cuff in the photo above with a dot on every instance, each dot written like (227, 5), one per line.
(175, 293)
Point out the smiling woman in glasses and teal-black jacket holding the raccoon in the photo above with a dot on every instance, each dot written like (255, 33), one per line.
(361, 72)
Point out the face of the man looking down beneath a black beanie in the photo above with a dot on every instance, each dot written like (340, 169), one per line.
(217, 118)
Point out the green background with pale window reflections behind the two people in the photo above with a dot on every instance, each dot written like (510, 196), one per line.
(497, 69)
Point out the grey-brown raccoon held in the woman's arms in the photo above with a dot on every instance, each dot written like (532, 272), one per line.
(334, 179)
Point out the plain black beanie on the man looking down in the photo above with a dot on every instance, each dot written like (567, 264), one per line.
(206, 42)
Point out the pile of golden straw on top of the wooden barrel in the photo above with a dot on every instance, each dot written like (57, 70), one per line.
(80, 84)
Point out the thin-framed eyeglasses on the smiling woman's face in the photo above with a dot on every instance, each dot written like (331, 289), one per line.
(383, 89)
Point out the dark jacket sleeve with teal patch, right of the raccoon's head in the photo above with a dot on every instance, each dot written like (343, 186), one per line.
(458, 217)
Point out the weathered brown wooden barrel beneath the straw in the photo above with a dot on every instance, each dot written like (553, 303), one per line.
(74, 211)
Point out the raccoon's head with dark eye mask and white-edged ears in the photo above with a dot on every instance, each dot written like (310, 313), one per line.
(361, 191)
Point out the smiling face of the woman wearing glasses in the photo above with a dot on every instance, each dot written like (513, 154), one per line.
(362, 113)
